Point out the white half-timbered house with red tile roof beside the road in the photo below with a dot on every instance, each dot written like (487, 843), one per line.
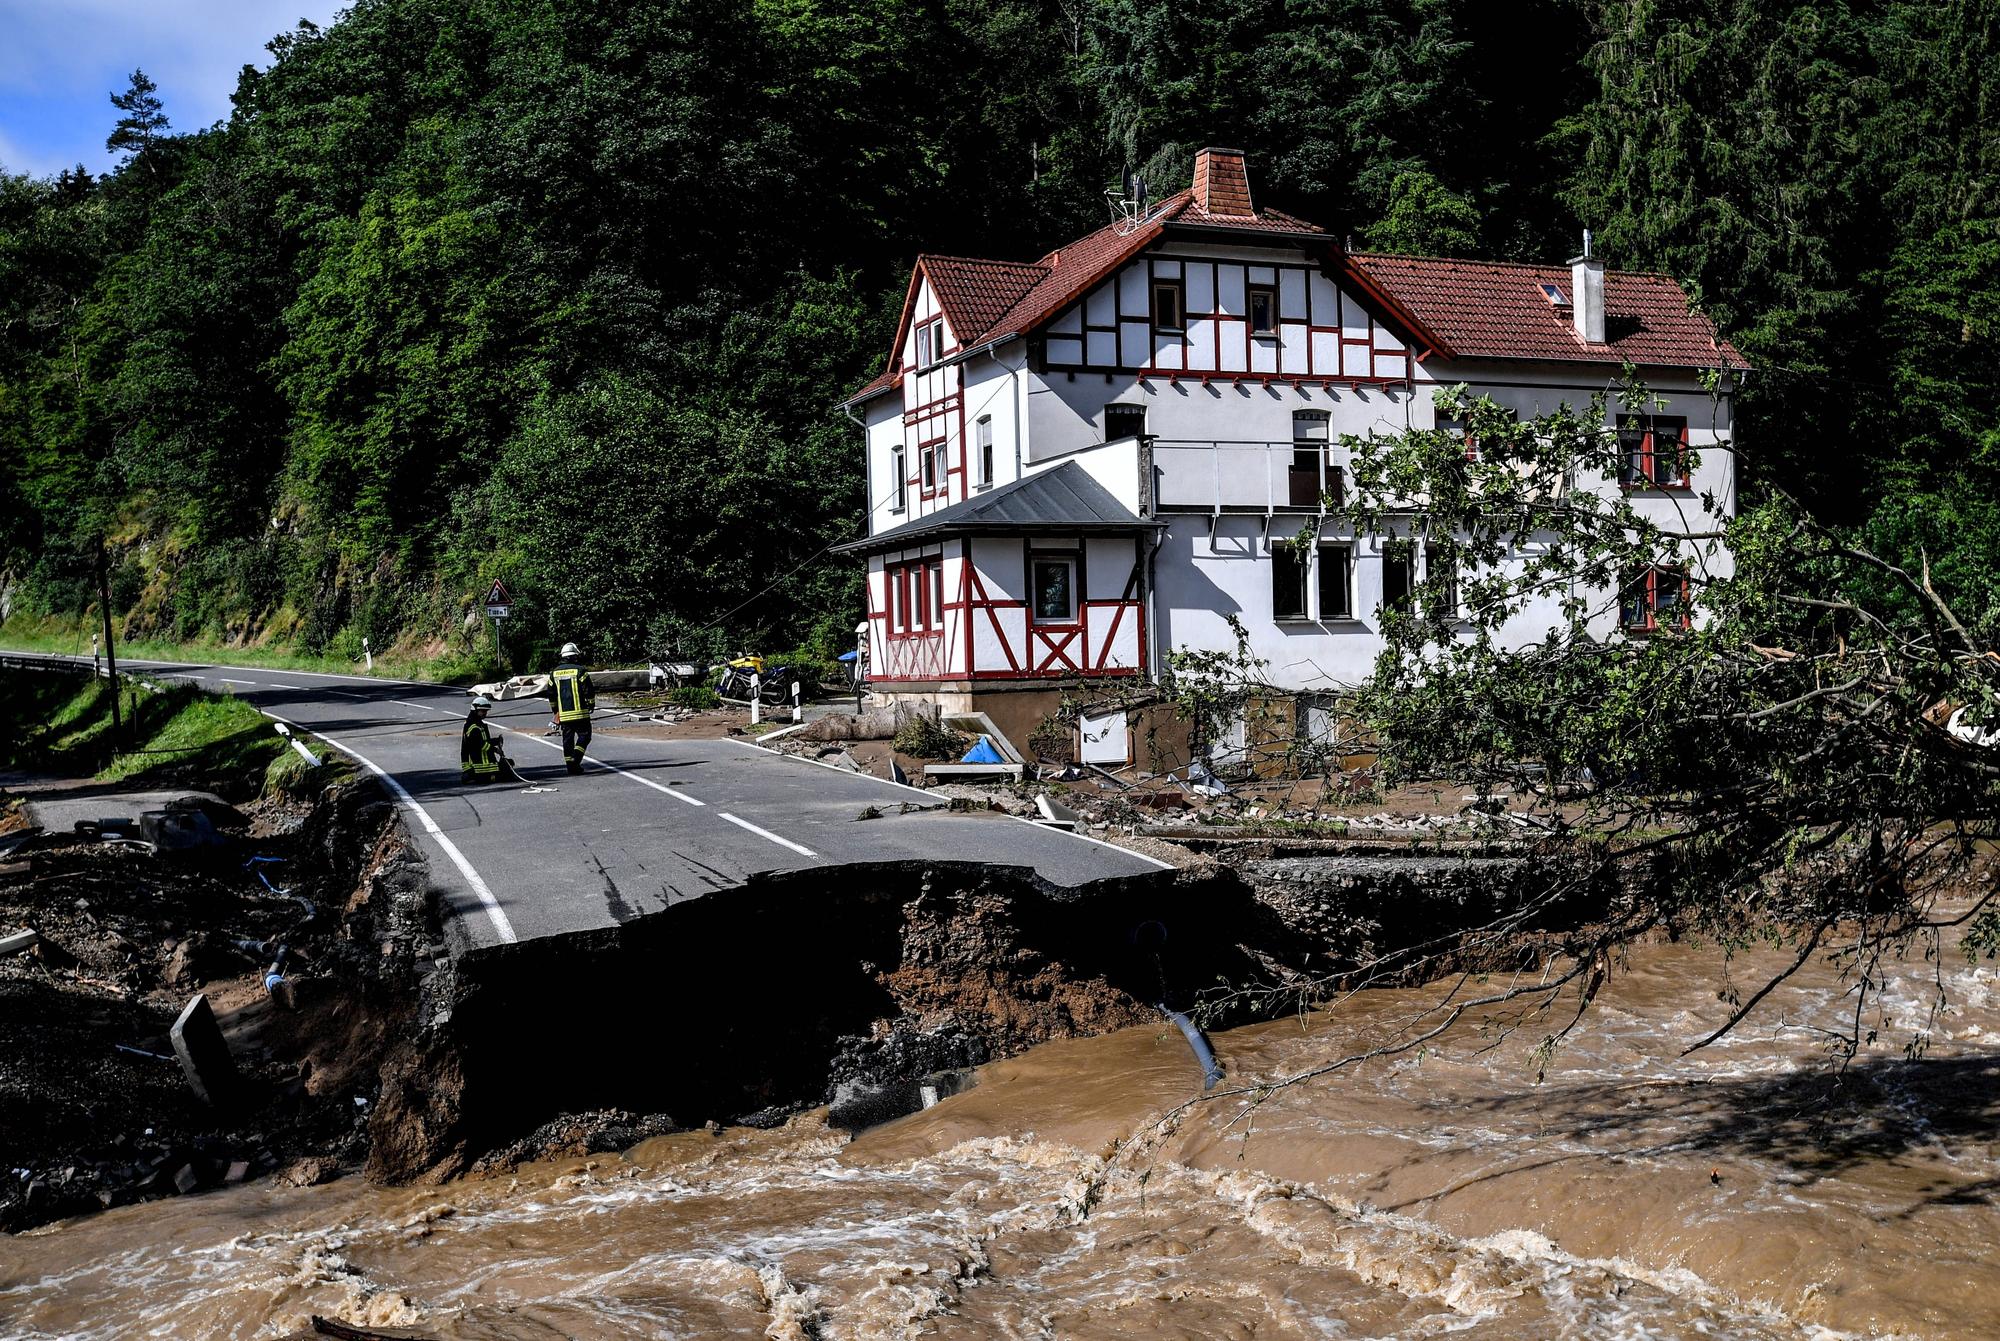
(1083, 463)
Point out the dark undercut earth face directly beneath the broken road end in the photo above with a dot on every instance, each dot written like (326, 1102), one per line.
(753, 1004)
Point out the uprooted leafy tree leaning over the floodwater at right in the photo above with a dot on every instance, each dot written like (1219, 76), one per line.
(1793, 762)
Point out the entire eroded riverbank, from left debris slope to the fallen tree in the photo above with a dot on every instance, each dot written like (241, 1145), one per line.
(859, 988)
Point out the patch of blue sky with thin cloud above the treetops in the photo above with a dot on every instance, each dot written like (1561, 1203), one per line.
(63, 59)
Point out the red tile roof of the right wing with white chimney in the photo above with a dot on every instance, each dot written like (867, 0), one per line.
(1483, 309)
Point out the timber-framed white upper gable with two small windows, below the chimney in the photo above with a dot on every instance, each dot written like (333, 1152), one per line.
(1115, 329)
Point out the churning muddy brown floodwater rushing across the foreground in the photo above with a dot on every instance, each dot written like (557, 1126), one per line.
(1629, 1194)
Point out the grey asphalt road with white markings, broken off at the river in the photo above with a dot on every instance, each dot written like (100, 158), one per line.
(649, 824)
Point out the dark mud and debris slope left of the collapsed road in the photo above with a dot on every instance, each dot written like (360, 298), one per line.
(95, 1110)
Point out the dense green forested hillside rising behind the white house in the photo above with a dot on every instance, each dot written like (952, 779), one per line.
(567, 293)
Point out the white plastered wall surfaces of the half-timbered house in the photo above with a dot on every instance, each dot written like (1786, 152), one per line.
(1205, 443)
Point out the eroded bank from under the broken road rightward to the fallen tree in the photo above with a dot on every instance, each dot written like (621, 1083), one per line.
(863, 986)
